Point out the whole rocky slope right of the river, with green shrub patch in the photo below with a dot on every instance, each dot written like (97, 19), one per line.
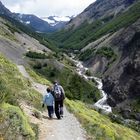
(117, 58)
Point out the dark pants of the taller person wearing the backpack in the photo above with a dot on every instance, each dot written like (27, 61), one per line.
(59, 108)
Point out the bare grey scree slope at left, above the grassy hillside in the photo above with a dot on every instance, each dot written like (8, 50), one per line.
(15, 45)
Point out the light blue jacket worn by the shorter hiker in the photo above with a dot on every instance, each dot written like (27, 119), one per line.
(48, 99)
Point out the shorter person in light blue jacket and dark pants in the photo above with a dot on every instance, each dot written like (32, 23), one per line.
(48, 100)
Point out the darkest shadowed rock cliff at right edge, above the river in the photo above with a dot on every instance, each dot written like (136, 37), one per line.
(124, 81)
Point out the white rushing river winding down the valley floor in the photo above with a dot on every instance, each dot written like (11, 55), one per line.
(102, 103)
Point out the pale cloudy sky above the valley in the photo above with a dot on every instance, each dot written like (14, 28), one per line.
(43, 8)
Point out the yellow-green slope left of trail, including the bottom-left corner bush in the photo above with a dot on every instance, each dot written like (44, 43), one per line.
(14, 89)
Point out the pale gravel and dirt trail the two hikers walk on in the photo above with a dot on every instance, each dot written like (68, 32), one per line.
(67, 128)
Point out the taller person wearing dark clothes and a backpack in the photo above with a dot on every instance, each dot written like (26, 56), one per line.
(59, 96)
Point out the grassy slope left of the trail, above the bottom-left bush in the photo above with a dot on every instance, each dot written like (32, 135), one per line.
(9, 77)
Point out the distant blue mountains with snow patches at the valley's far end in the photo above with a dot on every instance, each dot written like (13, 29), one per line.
(36, 23)
